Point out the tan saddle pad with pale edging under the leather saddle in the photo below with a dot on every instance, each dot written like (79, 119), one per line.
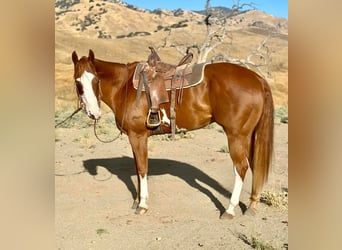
(193, 75)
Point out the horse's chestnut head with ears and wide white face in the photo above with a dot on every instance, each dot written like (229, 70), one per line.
(87, 84)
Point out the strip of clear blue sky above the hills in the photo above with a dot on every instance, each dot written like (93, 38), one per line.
(278, 8)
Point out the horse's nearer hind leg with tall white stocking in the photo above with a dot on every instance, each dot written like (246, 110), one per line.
(238, 149)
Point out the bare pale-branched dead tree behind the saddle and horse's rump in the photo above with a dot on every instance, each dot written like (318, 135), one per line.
(217, 34)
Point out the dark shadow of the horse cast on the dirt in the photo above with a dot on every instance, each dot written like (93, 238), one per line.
(123, 168)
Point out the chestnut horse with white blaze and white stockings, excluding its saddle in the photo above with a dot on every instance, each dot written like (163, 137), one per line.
(234, 97)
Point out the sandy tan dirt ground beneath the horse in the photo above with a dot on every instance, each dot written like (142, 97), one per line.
(190, 183)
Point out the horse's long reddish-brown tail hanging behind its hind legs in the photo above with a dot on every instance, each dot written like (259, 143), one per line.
(262, 143)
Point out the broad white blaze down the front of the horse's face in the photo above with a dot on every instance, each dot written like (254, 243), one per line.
(88, 96)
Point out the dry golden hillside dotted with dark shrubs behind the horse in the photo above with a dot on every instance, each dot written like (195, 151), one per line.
(122, 33)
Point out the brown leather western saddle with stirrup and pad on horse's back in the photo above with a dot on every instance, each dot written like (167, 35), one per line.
(156, 78)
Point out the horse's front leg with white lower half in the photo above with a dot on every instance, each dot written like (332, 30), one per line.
(139, 148)
